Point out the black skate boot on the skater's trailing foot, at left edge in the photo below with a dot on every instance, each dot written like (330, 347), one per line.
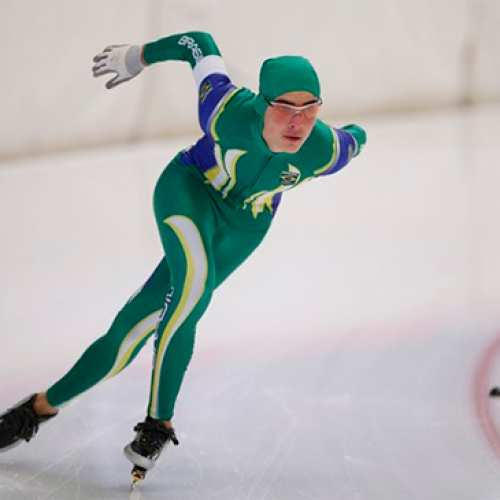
(20, 422)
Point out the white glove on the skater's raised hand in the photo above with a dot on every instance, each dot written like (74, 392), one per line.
(123, 60)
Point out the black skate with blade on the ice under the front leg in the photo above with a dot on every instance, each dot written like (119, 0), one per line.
(152, 437)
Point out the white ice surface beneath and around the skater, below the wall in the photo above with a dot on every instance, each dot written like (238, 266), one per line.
(349, 359)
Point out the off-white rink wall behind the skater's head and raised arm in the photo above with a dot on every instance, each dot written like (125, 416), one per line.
(372, 57)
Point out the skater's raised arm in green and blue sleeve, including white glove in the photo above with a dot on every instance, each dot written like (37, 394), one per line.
(197, 48)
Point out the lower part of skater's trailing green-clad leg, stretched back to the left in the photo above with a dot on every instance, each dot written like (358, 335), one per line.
(111, 353)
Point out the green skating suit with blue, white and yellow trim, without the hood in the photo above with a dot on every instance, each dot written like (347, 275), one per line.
(213, 204)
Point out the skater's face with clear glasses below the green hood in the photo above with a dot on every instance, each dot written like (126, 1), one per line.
(289, 120)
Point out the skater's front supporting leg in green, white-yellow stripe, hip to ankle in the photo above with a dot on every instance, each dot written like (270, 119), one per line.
(186, 222)
